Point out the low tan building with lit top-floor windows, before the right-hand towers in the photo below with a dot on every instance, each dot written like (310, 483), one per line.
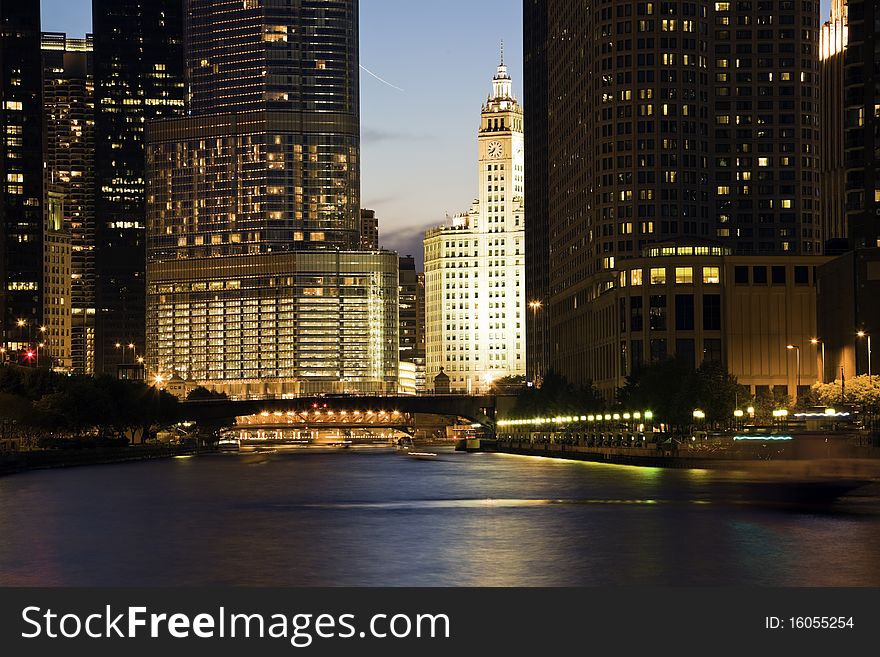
(700, 302)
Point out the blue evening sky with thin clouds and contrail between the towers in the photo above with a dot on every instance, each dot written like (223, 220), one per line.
(418, 145)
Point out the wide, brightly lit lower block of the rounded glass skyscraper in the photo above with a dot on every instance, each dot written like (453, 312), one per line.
(276, 324)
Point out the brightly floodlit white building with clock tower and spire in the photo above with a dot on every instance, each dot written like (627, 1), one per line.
(475, 309)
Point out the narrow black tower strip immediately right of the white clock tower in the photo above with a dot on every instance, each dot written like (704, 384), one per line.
(536, 178)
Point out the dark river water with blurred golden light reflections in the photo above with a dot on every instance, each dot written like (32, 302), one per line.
(382, 519)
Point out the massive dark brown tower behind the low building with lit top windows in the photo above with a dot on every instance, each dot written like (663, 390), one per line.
(672, 121)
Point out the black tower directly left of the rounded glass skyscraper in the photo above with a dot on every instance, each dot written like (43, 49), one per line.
(139, 77)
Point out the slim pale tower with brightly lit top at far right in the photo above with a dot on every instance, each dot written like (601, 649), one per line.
(832, 46)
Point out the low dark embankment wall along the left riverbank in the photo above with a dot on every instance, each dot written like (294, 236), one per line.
(13, 462)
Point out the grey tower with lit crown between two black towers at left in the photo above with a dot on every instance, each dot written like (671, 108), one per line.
(69, 104)
